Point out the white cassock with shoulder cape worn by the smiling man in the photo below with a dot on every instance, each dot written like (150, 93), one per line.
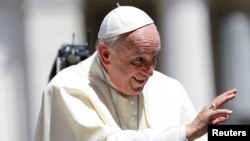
(81, 104)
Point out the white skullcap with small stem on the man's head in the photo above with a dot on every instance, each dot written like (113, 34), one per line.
(121, 20)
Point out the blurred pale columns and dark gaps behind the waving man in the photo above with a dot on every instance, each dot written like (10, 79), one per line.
(205, 45)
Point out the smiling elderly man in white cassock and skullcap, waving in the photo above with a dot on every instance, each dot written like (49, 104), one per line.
(116, 94)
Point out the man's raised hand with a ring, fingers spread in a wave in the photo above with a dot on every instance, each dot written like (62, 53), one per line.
(210, 114)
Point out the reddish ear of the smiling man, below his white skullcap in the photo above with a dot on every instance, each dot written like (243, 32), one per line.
(104, 53)
